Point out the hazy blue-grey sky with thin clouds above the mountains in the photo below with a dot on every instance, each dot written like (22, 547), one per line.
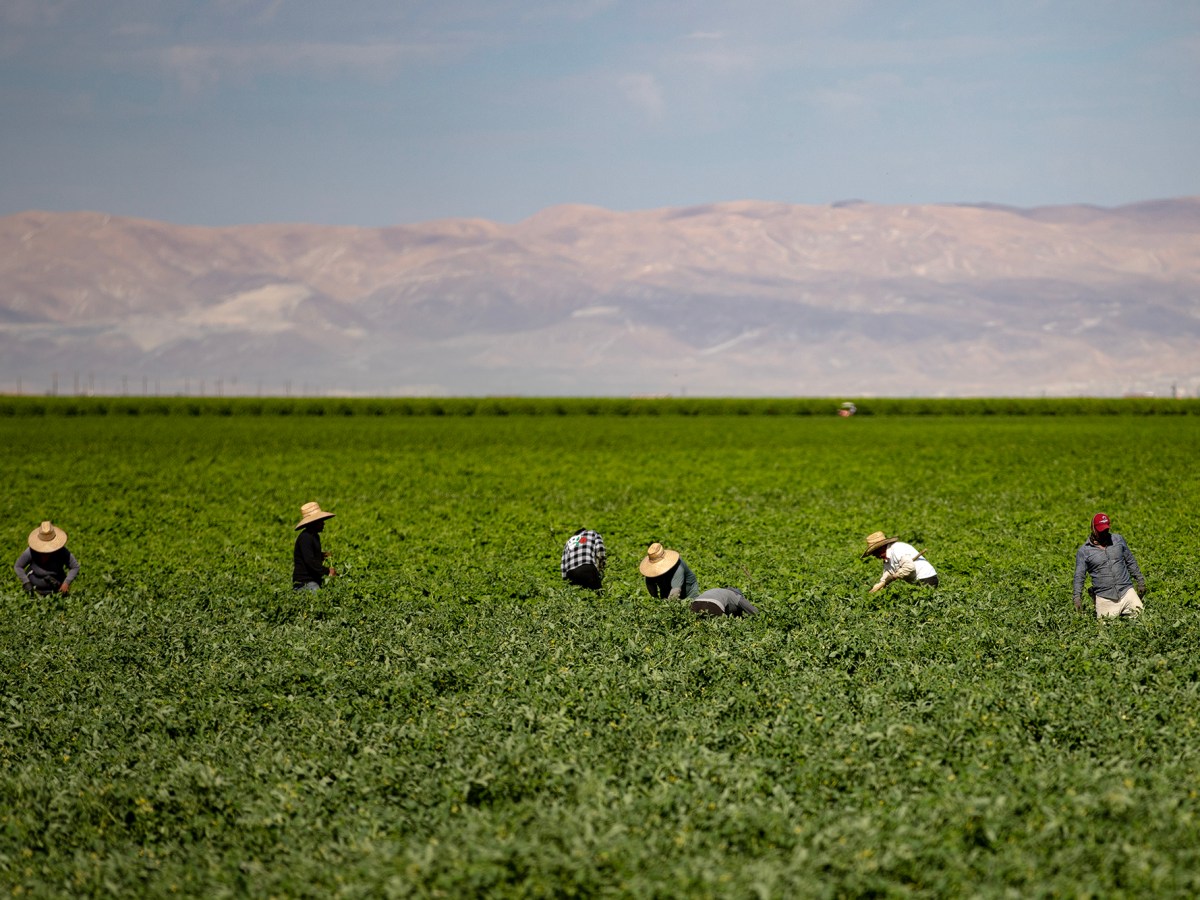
(381, 112)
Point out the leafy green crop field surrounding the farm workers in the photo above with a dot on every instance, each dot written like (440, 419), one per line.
(449, 719)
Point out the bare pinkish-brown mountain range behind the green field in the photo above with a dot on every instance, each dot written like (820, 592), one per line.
(743, 298)
